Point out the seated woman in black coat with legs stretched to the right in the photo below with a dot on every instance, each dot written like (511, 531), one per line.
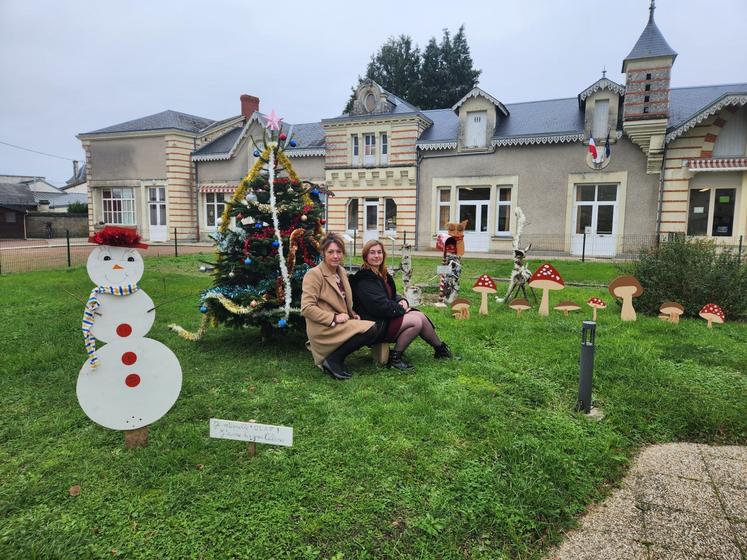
(375, 298)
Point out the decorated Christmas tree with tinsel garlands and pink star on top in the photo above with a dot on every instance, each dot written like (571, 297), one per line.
(267, 238)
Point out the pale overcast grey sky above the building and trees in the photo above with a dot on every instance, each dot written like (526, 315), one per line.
(72, 66)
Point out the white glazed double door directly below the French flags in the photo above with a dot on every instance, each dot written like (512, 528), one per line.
(595, 212)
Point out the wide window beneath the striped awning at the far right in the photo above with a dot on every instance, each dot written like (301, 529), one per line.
(711, 210)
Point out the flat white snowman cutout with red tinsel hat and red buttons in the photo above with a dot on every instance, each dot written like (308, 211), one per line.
(132, 381)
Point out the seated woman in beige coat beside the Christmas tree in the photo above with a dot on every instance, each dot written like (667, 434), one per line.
(333, 328)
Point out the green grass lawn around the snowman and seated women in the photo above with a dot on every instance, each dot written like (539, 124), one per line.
(481, 457)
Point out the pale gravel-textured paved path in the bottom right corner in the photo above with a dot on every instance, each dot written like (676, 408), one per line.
(680, 501)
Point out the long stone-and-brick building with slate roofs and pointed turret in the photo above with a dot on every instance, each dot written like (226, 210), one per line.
(669, 160)
